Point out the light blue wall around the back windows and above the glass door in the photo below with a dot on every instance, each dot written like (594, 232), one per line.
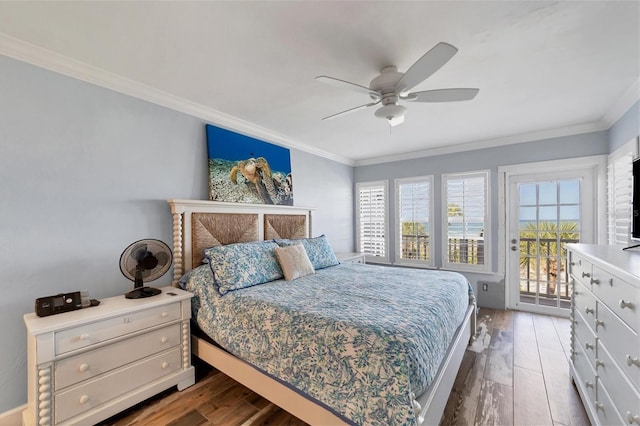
(490, 158)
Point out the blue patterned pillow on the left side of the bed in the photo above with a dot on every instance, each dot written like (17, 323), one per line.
(241, 265)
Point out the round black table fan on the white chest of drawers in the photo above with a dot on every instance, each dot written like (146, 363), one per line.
(144, 261)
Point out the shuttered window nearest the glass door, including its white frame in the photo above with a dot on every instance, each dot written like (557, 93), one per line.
(466, 221)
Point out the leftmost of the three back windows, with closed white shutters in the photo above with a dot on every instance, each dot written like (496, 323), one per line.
(373, 235)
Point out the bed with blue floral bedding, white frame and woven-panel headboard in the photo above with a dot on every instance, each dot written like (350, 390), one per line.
(314, 345)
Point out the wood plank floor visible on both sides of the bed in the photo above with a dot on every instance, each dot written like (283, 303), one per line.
(515, 373)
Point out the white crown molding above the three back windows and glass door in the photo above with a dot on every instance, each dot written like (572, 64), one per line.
(488, 143)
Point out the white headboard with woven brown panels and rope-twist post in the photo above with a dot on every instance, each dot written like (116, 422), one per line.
(200, 224)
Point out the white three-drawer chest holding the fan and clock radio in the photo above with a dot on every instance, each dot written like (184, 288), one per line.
(87, 365)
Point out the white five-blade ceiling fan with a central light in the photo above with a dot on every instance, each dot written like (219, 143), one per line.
(392, 86)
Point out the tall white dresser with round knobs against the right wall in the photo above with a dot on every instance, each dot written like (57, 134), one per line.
(605, 322)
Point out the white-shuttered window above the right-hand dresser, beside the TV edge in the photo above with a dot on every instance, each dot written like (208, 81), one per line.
(619, 184)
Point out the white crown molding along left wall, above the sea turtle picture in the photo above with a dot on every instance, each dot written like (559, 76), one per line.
(47, 59)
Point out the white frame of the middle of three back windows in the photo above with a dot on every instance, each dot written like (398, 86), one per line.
(430, 263)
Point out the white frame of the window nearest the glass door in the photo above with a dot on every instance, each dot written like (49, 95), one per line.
(487, 245)
